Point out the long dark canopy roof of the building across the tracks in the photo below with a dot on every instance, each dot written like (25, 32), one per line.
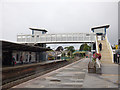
(21, 47)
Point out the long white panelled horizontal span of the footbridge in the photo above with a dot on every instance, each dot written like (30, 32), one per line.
(54, 38)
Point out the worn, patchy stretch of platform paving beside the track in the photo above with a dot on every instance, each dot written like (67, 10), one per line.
(70, 76)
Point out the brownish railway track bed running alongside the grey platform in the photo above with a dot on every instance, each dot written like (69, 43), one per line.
(15, 76)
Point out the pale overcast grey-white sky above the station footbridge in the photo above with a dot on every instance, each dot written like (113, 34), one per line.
(58, 16)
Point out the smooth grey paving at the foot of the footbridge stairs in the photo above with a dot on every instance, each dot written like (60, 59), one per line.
(107, 79)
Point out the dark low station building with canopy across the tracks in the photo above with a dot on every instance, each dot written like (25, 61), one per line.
(29, 53)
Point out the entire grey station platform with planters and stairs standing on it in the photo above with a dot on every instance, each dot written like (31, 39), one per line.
(76, 75)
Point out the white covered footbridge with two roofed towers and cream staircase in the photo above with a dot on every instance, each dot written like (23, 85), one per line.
(98, 35)
